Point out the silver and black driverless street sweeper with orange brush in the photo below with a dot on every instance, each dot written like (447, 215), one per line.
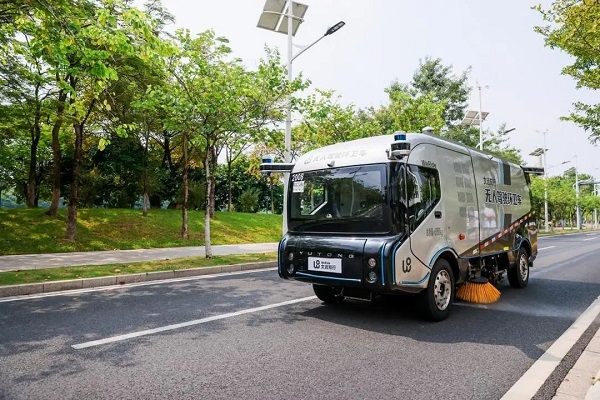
(407, 213)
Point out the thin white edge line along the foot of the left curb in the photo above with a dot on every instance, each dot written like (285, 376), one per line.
(130, 285)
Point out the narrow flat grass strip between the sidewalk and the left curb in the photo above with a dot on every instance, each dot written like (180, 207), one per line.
(93, 271)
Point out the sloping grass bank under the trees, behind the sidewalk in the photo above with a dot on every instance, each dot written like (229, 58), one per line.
(30, 231)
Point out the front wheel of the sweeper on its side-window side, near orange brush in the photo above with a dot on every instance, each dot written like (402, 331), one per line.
(437, 299)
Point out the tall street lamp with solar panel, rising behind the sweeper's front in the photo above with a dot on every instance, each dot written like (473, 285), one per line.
(285, 16)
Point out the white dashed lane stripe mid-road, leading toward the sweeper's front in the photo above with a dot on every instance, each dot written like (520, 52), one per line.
(186, 324)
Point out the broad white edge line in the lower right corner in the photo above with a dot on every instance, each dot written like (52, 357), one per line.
(534, 378)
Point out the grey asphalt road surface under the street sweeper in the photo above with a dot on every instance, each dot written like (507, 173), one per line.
(253, 336)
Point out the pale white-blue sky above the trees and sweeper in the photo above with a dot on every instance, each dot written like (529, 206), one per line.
(383, 41)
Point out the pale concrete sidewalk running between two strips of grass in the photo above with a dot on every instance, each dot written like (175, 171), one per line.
(39, 261)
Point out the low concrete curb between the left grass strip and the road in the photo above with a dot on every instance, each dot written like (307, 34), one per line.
(86, 283)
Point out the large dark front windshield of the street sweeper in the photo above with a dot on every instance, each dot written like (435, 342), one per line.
(344, 200)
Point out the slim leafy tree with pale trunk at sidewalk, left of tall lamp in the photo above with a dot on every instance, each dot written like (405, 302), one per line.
(212, 97)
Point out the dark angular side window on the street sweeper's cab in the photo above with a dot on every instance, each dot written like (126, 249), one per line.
(423, 193)
